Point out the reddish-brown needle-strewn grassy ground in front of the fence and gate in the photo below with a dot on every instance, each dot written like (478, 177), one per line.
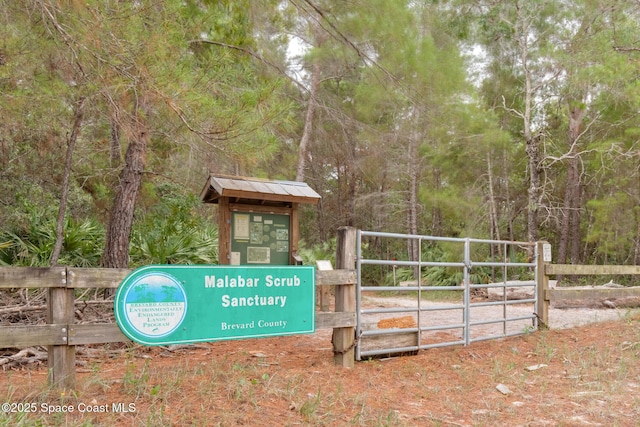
(592, 374)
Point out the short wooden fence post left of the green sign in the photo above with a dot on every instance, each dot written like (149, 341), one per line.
(61, 358)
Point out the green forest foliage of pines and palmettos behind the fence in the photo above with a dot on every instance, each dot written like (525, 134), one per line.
(418, 122)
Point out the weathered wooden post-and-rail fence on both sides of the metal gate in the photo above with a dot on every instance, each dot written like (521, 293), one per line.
(61, 334)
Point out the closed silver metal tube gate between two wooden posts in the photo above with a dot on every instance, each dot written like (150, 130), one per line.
(483, 276)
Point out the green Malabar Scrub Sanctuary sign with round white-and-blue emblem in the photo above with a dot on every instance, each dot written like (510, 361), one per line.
(166, 304)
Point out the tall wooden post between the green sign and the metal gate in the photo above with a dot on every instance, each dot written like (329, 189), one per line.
(344, 338)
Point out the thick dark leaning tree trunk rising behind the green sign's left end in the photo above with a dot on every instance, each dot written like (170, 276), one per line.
(116, 251)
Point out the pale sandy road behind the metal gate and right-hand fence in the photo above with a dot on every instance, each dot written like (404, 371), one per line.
(443, 326)
